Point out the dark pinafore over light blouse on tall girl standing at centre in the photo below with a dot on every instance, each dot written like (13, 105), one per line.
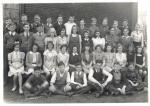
(74, 41)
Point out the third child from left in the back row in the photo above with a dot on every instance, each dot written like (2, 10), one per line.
(36, 23)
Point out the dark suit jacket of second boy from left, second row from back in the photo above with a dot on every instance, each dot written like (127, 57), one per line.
(26, 41)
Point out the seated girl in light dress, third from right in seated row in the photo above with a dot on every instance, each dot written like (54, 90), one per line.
(109, 58)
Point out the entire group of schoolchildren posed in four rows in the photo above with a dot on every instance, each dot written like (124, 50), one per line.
(67, 59)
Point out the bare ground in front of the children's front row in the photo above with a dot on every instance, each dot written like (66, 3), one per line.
(14, 97)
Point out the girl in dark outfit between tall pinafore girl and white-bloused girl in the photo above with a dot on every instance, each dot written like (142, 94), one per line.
(86, 40)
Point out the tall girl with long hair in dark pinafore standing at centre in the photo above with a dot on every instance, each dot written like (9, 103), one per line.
(75, 40)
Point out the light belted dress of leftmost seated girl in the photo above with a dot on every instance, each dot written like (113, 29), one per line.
(16, 59)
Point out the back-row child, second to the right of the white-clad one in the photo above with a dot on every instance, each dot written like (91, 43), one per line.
(93, 27)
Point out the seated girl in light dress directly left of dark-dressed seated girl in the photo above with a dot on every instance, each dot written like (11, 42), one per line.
(63, 56)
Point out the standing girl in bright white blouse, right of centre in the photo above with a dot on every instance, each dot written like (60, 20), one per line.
(98, 40)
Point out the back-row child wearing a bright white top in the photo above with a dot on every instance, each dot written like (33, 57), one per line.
(69, 26)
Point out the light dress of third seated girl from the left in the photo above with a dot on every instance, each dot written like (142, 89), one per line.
(50, 63)
